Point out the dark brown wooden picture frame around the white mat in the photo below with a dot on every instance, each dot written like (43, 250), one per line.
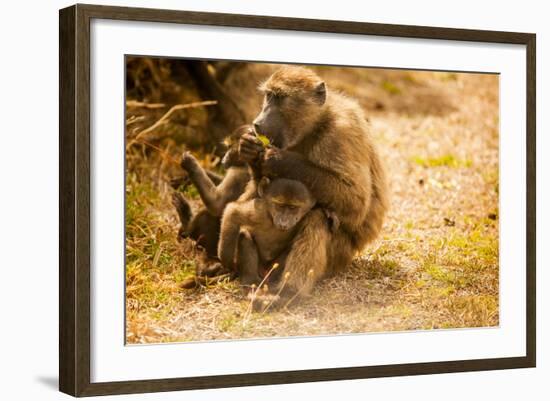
(74, 199)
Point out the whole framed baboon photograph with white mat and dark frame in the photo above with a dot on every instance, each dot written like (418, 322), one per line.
(249, 200)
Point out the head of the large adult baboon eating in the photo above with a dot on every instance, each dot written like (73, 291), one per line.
(293, 100)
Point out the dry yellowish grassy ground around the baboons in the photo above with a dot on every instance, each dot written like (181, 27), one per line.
(435, 264)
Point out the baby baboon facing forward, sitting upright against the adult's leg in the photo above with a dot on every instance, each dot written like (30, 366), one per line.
(255, 232)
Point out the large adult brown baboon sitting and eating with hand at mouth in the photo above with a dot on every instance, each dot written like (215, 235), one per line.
(321, 139)
